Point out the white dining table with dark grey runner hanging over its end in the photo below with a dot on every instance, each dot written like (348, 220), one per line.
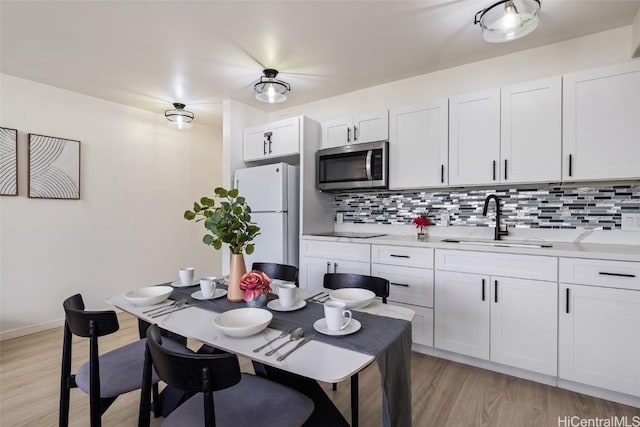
(383, 337)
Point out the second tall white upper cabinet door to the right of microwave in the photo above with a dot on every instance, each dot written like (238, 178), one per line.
(474, 138)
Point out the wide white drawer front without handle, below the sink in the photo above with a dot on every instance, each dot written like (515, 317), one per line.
(522, 266)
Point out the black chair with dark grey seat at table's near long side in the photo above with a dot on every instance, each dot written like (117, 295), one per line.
(221, 394)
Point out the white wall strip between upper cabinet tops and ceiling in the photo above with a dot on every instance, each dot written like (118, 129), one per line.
(596, 50)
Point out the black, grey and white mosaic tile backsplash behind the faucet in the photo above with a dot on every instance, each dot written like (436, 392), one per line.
(554, 207)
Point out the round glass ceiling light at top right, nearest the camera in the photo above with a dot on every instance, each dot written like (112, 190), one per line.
(508, 20)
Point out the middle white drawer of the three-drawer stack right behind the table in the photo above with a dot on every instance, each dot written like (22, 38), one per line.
(408, 284)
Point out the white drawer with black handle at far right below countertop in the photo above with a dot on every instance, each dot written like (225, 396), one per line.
(611, 274)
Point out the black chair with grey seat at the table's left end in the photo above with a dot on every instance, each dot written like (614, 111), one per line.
(104, 377)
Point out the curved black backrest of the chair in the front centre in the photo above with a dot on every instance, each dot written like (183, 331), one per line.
(193, 373)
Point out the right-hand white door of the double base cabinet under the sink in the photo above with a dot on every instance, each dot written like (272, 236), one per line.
(524, 324)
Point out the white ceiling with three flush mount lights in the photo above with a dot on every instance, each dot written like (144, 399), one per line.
(149, 54)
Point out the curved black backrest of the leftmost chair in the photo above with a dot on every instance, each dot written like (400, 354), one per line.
(81, 322)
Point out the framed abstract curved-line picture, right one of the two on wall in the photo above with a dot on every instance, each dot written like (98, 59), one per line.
(54, 167)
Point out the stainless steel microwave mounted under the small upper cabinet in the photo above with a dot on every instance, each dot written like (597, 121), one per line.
(355, 166)
